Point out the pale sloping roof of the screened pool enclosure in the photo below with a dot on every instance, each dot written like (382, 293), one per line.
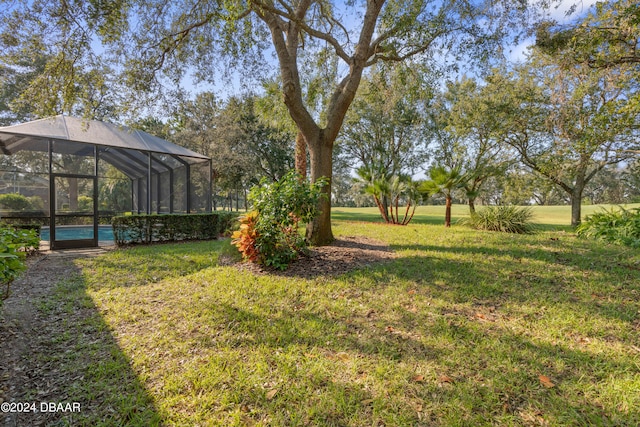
(95, 132)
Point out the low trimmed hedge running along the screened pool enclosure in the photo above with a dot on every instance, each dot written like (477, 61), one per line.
(171, 227)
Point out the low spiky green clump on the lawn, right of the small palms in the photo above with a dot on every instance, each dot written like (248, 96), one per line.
(507, 219)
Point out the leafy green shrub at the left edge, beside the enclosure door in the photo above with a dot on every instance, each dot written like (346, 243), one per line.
(14, 245)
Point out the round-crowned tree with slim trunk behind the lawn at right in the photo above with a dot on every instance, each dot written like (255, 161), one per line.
(566, 123)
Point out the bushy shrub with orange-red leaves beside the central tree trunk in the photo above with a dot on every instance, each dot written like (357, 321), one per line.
(281, 206)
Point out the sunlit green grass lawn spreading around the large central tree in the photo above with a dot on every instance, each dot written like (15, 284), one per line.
(464, 328)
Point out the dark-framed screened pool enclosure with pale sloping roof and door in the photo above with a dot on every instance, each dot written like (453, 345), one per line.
(65, 172)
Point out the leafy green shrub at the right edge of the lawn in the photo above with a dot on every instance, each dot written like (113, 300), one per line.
(619, 226)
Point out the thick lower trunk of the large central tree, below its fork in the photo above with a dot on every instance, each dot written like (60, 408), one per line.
(319, 230)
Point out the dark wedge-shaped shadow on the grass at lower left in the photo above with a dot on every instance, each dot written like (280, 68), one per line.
(72, 358)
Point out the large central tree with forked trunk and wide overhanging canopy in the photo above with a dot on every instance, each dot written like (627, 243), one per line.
(159, 40)
